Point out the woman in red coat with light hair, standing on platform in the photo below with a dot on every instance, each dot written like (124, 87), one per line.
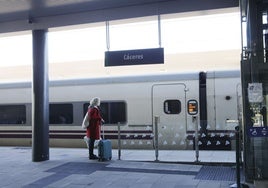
(93, 130)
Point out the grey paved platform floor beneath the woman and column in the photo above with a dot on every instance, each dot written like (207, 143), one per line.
(71, 168)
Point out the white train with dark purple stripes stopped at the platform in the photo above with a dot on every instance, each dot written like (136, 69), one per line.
(133, 104)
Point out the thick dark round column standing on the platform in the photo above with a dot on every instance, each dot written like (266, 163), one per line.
(40, 102)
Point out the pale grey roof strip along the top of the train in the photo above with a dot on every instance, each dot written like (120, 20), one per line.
(129, 79)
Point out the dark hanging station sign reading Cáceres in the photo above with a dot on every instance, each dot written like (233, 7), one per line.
(134, 57)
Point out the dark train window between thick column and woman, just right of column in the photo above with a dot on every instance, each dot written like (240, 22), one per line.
(60, 113)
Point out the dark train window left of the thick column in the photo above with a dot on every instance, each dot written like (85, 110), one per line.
(12, 114)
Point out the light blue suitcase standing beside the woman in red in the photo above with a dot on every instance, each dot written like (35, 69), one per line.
(105, 150)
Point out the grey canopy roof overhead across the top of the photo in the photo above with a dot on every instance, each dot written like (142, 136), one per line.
(21, 15)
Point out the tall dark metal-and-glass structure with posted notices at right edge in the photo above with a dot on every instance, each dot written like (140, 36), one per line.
(254, 73)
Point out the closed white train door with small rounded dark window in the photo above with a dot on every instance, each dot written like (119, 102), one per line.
(168, 106)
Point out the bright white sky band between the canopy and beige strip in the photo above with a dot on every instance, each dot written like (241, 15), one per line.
(178, 35)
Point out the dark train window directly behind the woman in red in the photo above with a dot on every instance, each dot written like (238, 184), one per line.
(112, 112)
